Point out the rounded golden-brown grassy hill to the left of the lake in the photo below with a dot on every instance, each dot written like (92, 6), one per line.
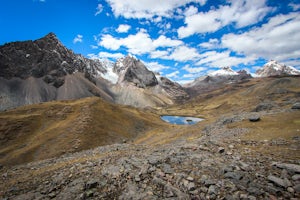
(50, 129)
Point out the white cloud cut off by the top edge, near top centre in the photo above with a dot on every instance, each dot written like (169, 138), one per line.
(147, 8)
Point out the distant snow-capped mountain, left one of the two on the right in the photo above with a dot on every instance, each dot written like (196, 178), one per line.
(215, 80)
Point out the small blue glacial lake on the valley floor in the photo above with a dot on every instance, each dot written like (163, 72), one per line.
(180, 120)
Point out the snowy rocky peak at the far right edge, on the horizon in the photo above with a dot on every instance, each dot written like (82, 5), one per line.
(273, 68)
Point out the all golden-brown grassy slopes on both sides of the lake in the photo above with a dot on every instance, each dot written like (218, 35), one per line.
(51, 129)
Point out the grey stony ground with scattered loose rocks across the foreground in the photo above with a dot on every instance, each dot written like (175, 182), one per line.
(216, 165)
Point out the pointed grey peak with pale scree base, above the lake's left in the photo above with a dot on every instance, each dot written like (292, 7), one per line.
(134, 77)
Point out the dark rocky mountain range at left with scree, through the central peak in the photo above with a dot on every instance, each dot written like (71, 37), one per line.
(45, 70)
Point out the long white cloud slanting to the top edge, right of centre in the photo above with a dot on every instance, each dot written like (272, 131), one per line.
(240, 12)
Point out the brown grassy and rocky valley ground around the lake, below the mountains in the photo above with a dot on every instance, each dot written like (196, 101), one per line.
(223, 156)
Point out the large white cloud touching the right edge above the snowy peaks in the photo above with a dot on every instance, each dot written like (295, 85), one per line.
(278, 39)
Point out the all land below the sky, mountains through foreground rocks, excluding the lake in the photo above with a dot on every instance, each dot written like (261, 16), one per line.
(78, 128)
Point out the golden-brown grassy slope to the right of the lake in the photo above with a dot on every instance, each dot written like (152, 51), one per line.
(244, 97)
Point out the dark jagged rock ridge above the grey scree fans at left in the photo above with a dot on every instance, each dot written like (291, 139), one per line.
(45, 57)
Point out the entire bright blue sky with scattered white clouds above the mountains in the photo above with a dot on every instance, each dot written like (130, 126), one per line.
(180, 39)
